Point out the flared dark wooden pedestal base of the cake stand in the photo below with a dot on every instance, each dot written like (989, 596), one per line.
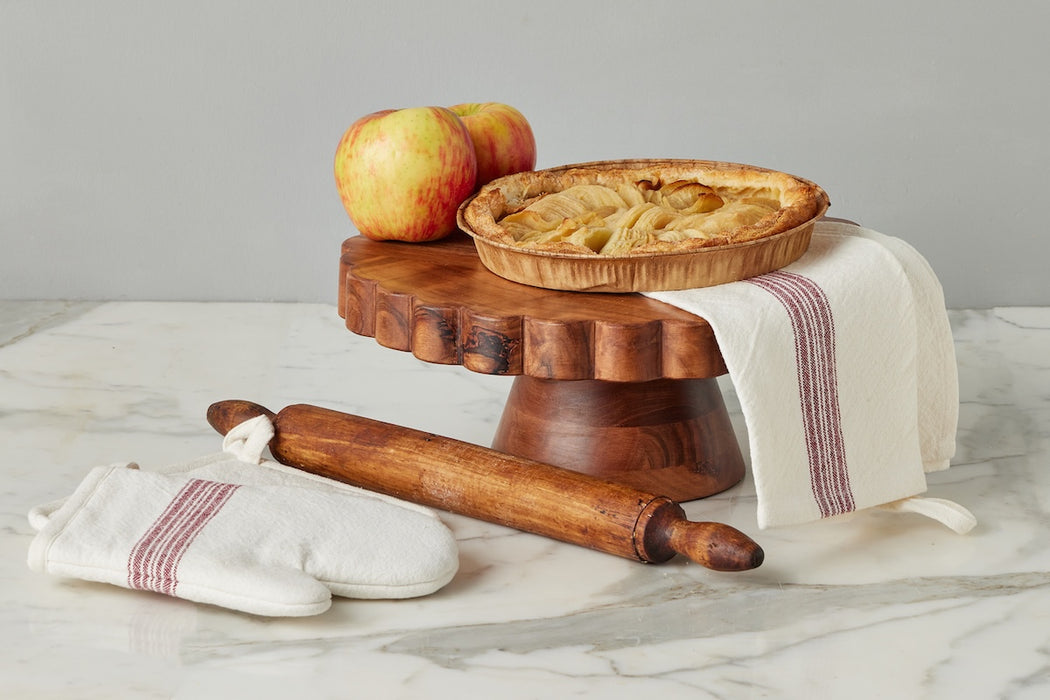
(671, 436)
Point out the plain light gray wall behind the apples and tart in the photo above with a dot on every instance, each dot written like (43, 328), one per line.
(183, 151)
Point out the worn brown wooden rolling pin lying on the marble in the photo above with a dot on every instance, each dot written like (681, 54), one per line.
(482, 483)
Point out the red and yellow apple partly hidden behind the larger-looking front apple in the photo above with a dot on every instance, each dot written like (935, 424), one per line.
(502, 138)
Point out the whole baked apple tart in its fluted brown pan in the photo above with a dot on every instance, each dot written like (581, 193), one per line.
(645, 211)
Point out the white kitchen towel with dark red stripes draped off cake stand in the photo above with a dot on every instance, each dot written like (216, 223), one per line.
(845, 366)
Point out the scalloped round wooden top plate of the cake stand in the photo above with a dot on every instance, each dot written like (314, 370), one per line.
(438, 302)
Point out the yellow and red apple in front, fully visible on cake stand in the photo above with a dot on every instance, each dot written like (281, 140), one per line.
(403, 174)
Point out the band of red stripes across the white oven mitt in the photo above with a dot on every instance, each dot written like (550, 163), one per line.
(154, 562)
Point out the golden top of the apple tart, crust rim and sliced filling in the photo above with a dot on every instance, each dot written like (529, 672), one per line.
(641, 208)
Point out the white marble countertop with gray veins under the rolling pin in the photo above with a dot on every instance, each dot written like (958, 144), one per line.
(878, 606)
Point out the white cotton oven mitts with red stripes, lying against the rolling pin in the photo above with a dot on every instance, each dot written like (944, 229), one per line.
(235, 531)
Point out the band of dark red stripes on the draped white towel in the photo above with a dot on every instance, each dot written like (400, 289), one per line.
(814, 329)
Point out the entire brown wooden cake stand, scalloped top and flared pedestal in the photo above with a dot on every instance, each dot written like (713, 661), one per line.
(616, 386)
